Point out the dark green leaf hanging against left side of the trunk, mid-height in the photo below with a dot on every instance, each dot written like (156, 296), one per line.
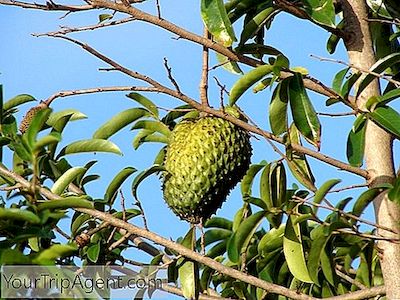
(356, 143)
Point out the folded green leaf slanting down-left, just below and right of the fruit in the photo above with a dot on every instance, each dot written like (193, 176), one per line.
(239, 241)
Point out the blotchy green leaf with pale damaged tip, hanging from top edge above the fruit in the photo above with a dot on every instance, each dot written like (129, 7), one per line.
(216, 19)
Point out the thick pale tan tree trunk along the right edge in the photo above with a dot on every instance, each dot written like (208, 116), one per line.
(378, 145)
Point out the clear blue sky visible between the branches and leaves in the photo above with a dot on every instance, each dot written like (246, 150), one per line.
(43, 66)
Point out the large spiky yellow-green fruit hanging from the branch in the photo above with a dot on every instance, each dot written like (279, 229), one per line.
(205, 159)
